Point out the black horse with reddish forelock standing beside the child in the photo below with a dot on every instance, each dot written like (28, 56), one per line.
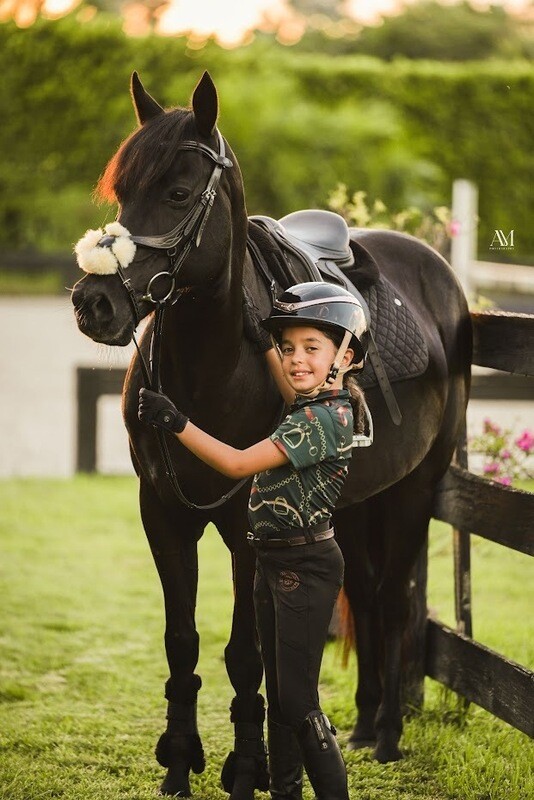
(164, 179)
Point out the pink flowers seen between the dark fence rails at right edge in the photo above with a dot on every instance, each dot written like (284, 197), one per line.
(504, 458)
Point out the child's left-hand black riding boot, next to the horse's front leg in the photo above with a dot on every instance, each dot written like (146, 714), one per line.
(285, 762)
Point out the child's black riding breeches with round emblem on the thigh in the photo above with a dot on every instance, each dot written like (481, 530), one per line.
(295, 590)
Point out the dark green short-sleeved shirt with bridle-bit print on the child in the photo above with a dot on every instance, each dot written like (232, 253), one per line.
(316, 436)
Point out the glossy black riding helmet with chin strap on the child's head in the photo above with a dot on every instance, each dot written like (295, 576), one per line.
(324, 306)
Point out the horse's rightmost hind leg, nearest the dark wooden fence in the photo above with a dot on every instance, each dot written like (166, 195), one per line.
(405, 511)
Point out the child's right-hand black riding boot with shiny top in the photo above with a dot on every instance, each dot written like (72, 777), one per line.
(322, 758)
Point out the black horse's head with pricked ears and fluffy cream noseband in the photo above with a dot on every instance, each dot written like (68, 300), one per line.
(181, 217)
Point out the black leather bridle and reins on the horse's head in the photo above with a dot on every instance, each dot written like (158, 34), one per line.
(178, 243)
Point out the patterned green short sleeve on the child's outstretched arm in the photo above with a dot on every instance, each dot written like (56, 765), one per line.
(307, 436)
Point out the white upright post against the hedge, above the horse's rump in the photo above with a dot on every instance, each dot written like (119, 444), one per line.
(464, 240)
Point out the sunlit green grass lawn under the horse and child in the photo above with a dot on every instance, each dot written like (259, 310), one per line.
(82, 663)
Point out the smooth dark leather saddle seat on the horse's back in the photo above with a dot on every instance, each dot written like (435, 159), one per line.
(314, 235)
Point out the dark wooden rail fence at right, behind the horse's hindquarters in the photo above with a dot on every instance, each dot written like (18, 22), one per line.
(497, 513)
